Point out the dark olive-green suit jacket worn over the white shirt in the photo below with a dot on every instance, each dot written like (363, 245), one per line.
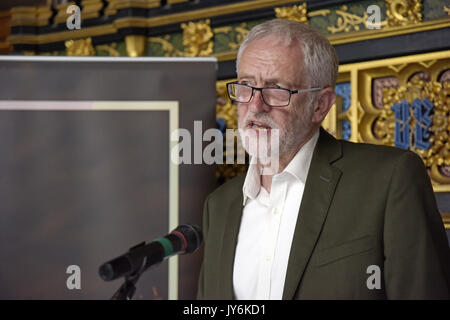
(362, 205)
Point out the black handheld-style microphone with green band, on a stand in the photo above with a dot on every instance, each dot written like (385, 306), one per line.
(184, 239)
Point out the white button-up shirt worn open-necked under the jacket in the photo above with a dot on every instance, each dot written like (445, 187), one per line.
(267, 228)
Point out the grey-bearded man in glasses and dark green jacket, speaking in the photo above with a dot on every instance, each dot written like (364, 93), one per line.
(337, 220)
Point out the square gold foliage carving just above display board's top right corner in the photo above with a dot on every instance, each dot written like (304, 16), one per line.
(197, 38)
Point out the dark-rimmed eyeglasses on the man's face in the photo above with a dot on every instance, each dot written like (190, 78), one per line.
(273, 97)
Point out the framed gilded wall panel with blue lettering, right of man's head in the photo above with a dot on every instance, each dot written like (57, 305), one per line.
(404, 102)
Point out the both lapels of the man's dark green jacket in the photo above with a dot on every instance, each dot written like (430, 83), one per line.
(319, 190)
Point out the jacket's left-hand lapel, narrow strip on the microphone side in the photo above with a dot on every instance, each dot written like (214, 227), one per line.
(229, 243)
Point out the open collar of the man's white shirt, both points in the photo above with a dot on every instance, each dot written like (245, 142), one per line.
(298, 167)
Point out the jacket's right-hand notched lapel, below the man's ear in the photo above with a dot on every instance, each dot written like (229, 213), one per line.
(317, 196)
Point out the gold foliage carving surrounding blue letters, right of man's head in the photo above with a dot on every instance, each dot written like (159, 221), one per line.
(432, 122)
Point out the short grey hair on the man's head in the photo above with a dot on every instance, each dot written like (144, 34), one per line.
(320, 58)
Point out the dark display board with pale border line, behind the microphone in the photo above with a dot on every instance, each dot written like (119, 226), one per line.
(86, 171)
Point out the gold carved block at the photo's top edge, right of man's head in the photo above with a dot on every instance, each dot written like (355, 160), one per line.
(403, 12)
